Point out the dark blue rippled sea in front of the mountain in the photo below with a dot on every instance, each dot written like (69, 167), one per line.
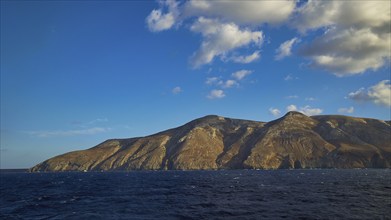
(245, 194)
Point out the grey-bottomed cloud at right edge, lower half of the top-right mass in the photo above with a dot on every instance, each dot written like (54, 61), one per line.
(349, 52)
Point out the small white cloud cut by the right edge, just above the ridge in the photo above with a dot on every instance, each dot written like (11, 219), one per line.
(379, 94)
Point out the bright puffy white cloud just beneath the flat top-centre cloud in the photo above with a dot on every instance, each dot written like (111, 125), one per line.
(221, 38)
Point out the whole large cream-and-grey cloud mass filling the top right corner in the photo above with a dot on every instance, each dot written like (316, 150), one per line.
(357, 36)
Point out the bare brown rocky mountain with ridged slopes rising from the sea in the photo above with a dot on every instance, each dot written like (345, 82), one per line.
(214, 142)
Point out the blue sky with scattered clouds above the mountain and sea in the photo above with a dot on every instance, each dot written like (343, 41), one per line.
(76, 73)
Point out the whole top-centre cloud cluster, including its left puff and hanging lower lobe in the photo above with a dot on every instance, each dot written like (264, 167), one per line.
(225, 26)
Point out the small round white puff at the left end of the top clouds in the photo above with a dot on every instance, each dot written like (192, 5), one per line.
(157, 20)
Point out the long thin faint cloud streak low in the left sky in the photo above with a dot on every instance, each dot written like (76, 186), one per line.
(57, 133)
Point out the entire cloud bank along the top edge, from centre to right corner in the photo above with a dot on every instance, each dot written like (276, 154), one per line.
(350, 37)
